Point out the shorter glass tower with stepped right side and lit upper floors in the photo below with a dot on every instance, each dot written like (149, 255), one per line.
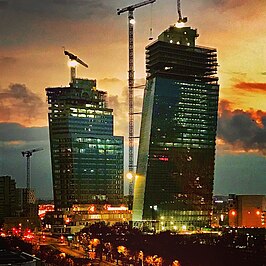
(87, 160)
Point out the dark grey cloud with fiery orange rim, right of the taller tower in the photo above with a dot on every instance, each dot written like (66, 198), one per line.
(242, 129)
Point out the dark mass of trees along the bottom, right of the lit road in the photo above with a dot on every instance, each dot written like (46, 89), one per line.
(230, 248)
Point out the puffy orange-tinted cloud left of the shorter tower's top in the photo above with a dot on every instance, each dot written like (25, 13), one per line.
(18, 103)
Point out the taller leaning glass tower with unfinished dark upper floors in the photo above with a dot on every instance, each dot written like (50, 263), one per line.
(175, 169)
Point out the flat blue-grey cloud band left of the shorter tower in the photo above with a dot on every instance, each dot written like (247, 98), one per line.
(12, 132)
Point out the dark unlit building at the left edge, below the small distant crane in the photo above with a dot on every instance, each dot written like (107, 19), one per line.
(8, 204)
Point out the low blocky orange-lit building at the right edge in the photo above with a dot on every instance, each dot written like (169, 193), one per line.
(247, 211)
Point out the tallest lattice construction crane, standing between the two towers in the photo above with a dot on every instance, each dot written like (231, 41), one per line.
(131, 81)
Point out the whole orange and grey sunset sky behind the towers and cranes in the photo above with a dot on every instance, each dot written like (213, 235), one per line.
(33, 32)
